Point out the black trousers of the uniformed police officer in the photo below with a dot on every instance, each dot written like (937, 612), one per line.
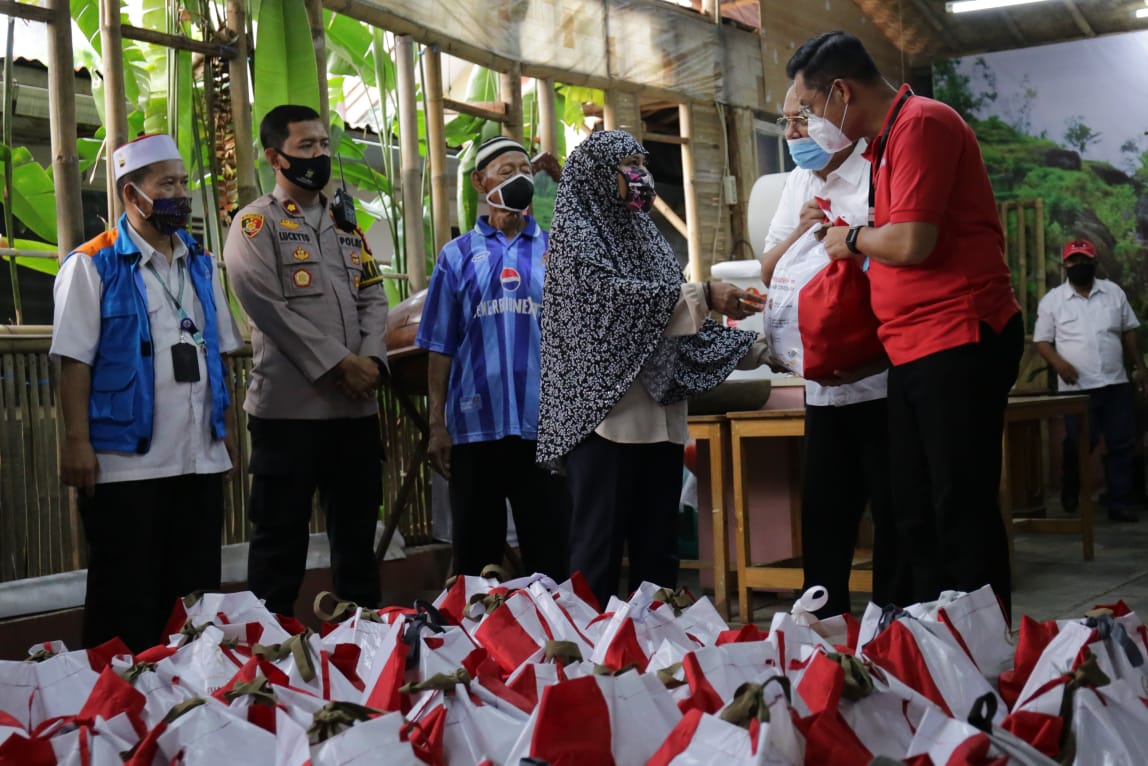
(343, 459)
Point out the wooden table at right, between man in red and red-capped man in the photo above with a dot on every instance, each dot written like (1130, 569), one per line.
(1041, 408)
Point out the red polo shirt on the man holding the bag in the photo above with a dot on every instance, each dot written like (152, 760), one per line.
(933, 173)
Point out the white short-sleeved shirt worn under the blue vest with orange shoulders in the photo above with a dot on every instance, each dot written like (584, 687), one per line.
(182, 442)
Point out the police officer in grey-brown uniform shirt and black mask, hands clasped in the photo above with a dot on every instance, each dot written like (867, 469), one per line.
(319, 314)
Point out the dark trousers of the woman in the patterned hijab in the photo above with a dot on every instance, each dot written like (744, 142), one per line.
(624, 496)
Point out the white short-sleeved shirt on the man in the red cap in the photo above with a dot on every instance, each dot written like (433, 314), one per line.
(1088, 332)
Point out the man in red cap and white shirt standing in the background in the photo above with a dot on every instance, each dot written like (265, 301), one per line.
(1084, 330)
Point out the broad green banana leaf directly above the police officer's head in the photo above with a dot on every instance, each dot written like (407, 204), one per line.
(285, 68)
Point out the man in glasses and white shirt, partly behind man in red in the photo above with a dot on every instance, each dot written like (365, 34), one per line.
(847, 424)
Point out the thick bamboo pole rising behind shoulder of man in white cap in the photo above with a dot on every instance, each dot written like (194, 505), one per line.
(63, 128)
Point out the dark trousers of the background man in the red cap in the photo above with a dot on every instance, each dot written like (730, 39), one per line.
(1112, 414)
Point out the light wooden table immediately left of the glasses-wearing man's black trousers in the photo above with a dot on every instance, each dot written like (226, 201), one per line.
(786, 575)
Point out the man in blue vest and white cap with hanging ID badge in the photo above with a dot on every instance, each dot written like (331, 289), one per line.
(139, 330)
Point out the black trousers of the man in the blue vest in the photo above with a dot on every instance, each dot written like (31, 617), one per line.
(150, 543)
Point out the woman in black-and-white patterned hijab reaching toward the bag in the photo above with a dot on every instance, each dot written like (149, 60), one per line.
(625, 343)
